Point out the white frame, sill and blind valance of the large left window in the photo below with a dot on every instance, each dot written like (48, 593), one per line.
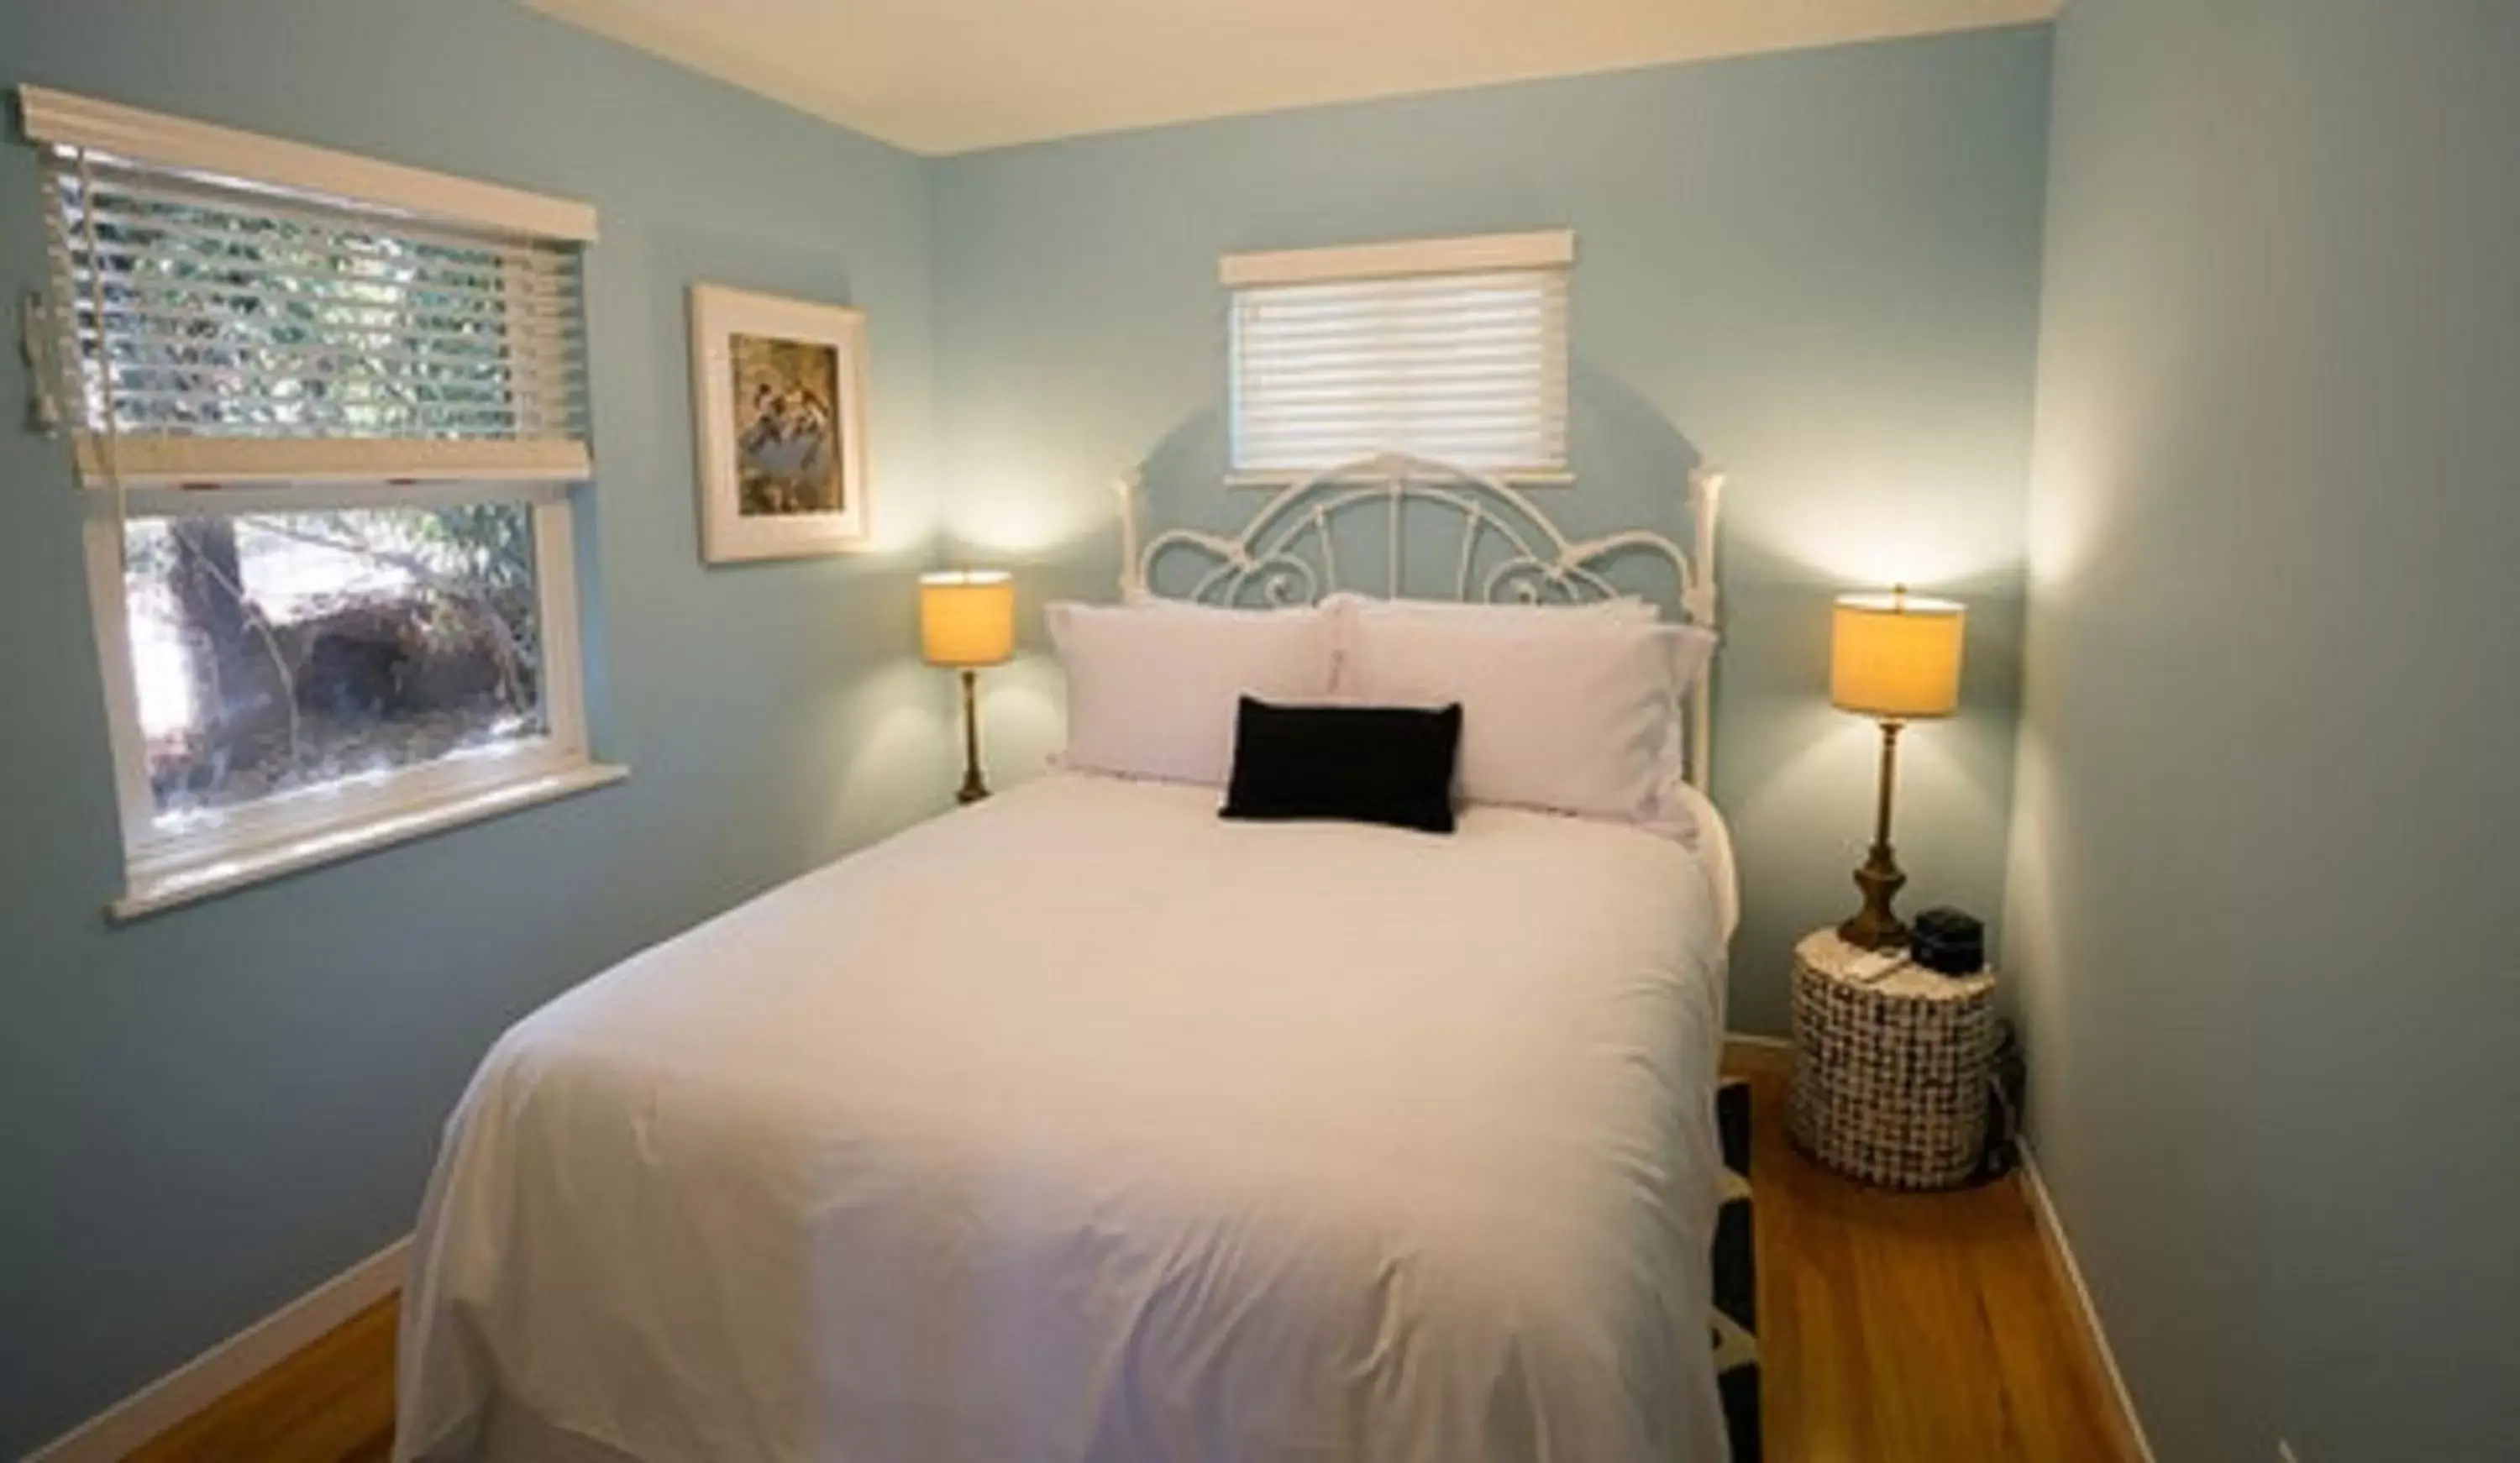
(233, 847)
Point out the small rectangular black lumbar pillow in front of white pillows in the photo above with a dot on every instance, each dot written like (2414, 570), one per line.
(1365, 764)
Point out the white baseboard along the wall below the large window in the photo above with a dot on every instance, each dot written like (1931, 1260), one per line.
(231, 1364)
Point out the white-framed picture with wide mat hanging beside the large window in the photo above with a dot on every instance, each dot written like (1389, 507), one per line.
(780, 389)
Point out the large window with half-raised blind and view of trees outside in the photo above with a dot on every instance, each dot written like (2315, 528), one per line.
(329, 417)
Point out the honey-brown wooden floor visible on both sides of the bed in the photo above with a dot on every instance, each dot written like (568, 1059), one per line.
(1891, 1331)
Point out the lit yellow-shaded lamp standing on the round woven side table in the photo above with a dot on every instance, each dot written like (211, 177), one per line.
(1894, 658)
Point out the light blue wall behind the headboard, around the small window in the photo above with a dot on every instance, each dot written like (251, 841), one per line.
(1818, 271)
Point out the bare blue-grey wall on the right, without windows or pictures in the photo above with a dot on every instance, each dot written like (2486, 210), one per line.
(2262, 898)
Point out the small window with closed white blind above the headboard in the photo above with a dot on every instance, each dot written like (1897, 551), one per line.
(1448, 349)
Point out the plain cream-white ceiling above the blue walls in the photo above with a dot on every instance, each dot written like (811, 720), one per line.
(944, 77)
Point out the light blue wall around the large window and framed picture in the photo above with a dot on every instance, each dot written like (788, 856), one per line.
(210, 1112)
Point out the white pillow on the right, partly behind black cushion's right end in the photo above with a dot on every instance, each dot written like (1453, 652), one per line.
(1559, 711)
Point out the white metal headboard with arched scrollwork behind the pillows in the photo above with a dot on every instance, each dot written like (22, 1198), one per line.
(1511, 553)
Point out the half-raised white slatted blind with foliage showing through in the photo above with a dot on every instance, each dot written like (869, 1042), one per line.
(223, 334)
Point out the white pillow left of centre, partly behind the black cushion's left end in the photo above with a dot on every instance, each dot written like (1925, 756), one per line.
(1153, 691)
